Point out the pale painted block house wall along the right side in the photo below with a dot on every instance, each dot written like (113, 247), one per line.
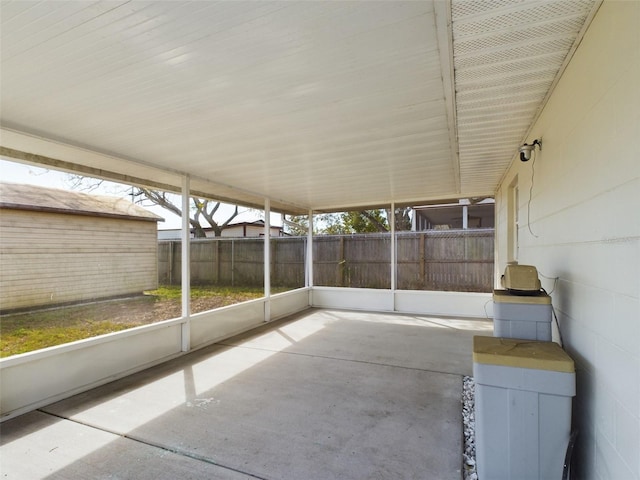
(583, 226)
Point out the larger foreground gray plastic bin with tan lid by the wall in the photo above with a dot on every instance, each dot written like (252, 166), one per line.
(523, 396)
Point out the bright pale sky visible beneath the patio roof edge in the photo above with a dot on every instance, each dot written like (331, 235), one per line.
(30, 175)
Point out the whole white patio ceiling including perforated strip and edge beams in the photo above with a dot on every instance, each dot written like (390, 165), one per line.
(320, 106)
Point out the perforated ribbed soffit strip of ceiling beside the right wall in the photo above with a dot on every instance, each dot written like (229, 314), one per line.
(506, 56)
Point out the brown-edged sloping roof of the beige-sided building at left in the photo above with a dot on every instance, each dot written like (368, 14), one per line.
(41, 199)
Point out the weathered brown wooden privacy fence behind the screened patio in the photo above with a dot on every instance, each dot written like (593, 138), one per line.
(455, 260)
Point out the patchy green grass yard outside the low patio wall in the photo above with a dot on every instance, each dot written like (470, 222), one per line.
(25, 332)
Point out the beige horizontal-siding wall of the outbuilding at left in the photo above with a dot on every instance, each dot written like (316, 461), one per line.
(49, 258)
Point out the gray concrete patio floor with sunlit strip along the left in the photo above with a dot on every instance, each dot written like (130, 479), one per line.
(325, 394)
